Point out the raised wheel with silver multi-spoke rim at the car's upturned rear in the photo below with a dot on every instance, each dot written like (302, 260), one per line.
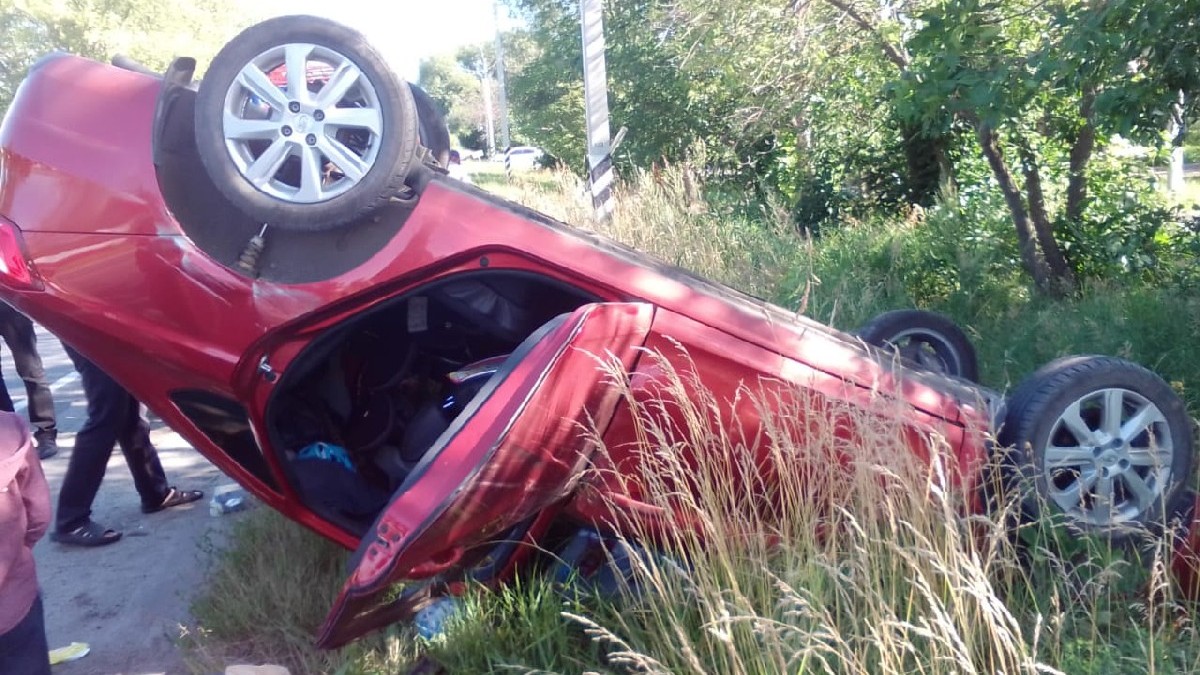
(285, 164)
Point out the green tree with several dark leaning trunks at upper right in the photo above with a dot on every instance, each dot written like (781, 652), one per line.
(1042, 86)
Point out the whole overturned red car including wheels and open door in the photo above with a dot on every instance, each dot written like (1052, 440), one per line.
(275, 262)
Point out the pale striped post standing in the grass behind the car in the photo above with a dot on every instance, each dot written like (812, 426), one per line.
(596, 94)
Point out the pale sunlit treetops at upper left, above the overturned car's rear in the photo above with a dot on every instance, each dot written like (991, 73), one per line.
(152, 32)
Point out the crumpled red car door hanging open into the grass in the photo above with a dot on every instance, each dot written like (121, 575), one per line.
(519, 447)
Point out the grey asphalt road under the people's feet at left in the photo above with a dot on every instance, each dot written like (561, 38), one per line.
(128, 601)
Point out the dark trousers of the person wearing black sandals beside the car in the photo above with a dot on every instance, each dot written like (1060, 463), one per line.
(115, 417)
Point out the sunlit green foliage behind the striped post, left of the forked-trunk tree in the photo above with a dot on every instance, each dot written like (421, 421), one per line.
(785, 100)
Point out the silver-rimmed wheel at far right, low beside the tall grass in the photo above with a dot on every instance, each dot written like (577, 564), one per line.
(1118, 485)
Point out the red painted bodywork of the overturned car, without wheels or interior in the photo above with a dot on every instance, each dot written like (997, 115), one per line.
(94, 252)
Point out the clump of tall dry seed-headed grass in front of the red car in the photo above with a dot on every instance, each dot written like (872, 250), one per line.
(826, 545)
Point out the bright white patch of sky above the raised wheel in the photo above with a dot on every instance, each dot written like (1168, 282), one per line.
(404, 31)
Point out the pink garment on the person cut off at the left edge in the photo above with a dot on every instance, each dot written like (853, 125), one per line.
(25, 517)
